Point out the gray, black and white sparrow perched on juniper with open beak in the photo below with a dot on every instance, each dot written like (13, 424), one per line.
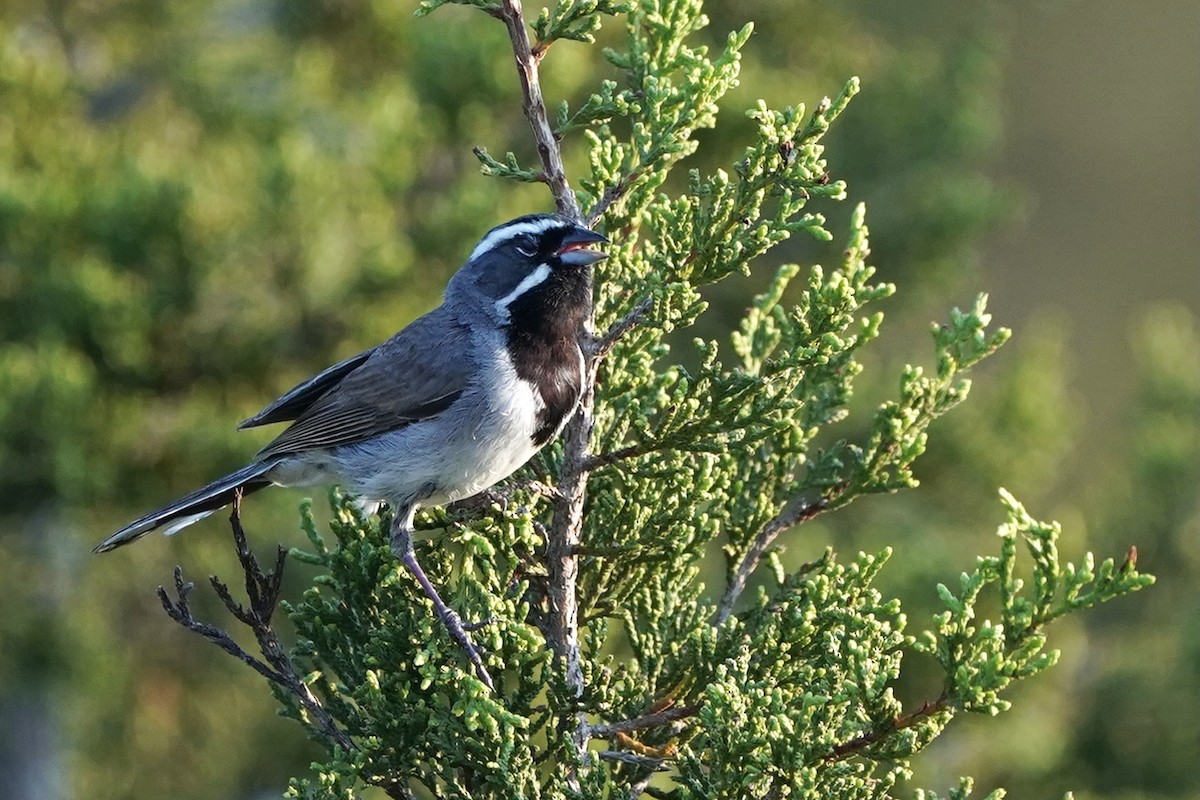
(442, 411)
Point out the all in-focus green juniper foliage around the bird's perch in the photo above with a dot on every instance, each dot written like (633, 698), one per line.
(793, 696)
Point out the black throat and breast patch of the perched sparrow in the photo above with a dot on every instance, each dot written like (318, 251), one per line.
(543, 340)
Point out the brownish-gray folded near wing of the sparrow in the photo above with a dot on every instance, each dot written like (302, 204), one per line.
(416, 375)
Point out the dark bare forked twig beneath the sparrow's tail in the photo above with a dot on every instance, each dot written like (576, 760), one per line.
(263, 593)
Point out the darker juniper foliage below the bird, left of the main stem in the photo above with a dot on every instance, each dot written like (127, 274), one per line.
(413, 714)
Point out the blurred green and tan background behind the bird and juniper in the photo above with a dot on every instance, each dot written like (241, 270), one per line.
(202, 203)
